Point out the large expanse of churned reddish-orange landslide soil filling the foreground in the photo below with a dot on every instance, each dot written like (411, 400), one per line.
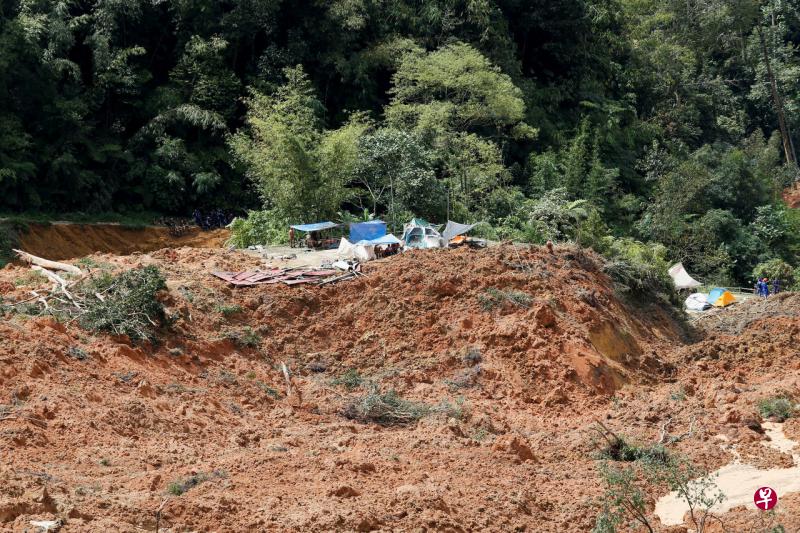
(517, 384)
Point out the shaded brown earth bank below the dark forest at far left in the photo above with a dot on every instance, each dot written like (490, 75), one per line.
(66, 241)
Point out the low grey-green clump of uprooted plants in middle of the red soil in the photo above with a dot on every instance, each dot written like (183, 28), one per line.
(386, 409)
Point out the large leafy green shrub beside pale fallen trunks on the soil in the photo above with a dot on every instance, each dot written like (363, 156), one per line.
(129, 306)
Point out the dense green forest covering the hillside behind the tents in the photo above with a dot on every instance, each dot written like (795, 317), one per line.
(651, 130)
